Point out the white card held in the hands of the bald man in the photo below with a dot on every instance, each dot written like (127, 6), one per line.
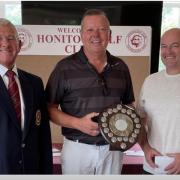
(162, 162)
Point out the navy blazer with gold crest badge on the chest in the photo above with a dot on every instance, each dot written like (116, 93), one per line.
(28, 151)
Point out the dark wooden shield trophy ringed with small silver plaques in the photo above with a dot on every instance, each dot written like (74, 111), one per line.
(120, 125)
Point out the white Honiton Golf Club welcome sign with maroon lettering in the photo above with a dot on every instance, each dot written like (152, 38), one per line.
(66, 40)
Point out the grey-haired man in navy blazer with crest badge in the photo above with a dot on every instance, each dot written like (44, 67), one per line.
(25, 148)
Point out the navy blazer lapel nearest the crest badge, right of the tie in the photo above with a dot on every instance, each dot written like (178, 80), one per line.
(27, 92)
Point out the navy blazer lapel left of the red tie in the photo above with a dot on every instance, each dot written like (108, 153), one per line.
(5, 103)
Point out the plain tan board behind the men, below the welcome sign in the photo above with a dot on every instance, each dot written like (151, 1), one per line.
(43, 65)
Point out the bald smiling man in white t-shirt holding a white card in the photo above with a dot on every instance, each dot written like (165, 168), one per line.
(159, 107)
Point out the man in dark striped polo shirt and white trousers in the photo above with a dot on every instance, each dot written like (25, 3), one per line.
(79, 88)
